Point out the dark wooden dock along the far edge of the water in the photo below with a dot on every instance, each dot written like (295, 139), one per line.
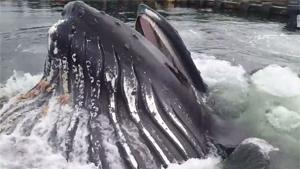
(286, 10)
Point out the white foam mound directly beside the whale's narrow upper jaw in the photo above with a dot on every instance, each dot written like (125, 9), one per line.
(228, 83)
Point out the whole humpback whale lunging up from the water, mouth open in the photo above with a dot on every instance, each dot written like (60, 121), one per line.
(142, 83)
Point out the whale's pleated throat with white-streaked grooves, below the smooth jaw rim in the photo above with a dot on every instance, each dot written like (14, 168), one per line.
(140, 118)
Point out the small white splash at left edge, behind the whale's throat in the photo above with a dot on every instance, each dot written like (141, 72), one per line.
(18, 83)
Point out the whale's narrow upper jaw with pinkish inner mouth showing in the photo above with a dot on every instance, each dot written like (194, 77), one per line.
(156, 29)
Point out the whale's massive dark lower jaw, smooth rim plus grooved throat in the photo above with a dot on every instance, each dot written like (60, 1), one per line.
(109, 68)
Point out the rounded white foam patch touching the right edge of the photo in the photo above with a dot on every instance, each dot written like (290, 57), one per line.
(278, 81)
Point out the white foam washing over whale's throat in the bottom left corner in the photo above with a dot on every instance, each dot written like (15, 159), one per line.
(41, 149)
